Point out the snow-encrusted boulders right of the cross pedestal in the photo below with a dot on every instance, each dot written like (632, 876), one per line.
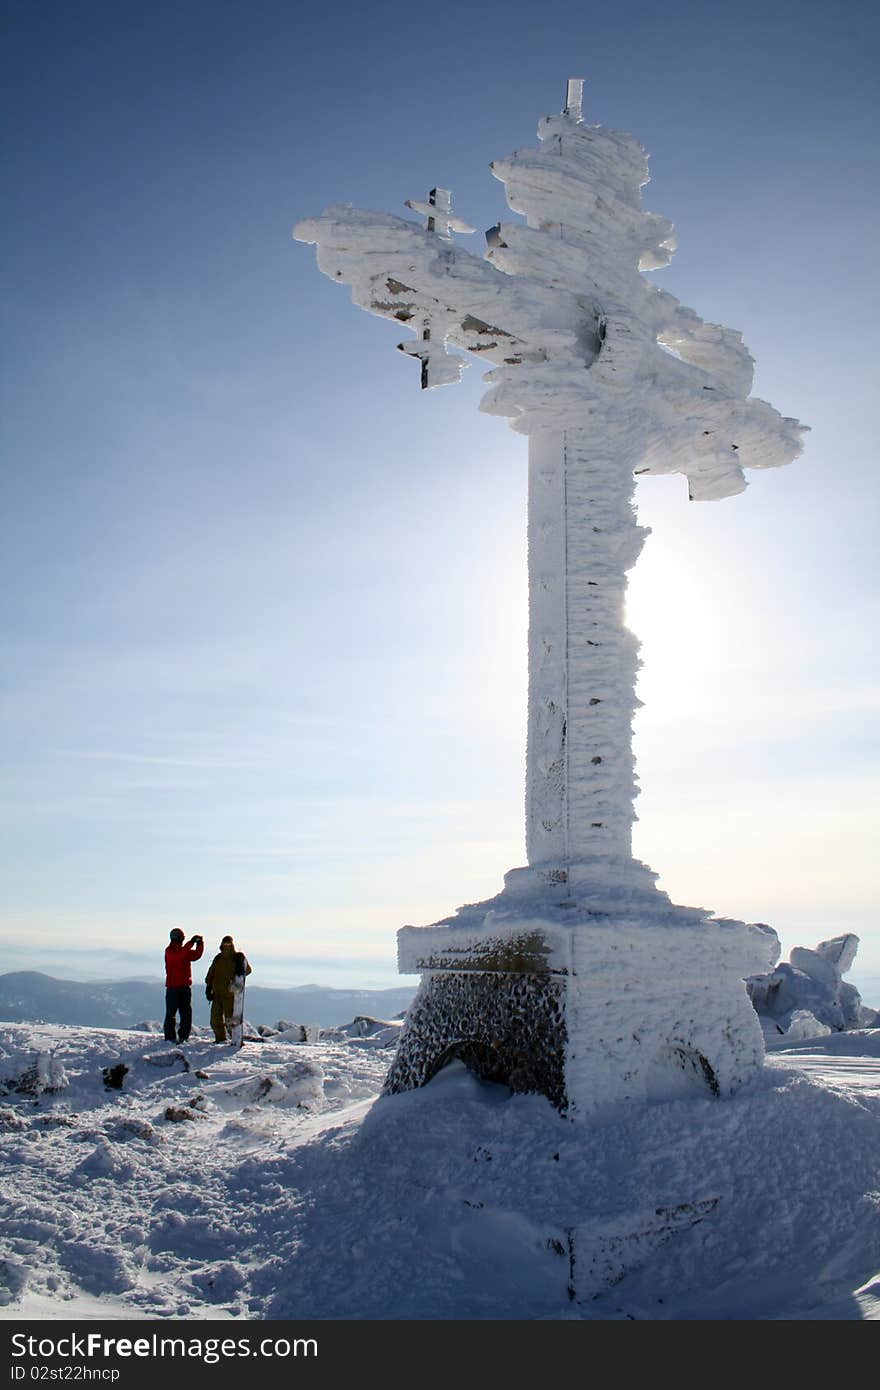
(808, 997)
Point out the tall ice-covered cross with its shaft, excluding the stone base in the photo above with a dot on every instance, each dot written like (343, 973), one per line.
(610, 377)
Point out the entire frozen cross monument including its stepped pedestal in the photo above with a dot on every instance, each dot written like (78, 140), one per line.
(580, 981)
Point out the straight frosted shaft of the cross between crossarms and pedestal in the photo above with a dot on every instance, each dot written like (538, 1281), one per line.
(580, 779)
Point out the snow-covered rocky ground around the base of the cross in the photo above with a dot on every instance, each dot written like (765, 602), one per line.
(273, 1184)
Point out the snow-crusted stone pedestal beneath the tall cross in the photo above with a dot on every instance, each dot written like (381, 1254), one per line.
(589, 1008)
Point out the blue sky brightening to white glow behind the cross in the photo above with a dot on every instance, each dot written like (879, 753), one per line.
(263, 601)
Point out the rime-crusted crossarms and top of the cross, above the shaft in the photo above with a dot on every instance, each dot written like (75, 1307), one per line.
(582, 340)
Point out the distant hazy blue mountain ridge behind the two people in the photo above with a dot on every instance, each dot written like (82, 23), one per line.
(30, 997)
